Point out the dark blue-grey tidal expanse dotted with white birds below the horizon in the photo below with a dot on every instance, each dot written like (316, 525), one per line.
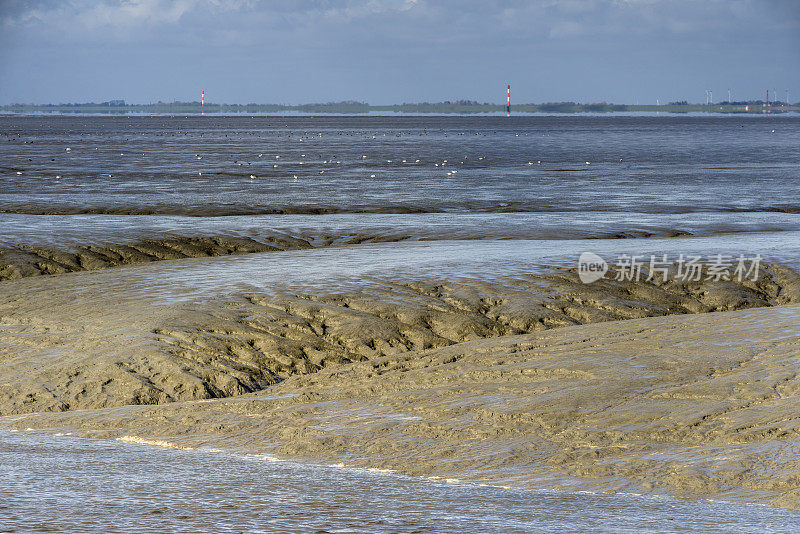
(695, 174)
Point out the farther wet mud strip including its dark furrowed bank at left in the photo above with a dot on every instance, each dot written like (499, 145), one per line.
(57, 244)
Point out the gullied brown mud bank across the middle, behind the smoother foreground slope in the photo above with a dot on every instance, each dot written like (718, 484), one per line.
(72, 342)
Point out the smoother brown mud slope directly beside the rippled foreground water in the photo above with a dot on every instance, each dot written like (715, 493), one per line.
(696, 406)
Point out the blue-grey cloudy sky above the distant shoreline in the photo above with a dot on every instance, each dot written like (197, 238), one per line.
(395, 51)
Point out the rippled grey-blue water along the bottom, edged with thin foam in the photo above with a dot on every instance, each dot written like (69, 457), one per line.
(68, 484)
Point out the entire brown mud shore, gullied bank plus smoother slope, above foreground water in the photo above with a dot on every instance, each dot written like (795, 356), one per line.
(533, 380)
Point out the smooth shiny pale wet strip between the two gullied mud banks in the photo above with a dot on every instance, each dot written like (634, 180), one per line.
(341, 268)
